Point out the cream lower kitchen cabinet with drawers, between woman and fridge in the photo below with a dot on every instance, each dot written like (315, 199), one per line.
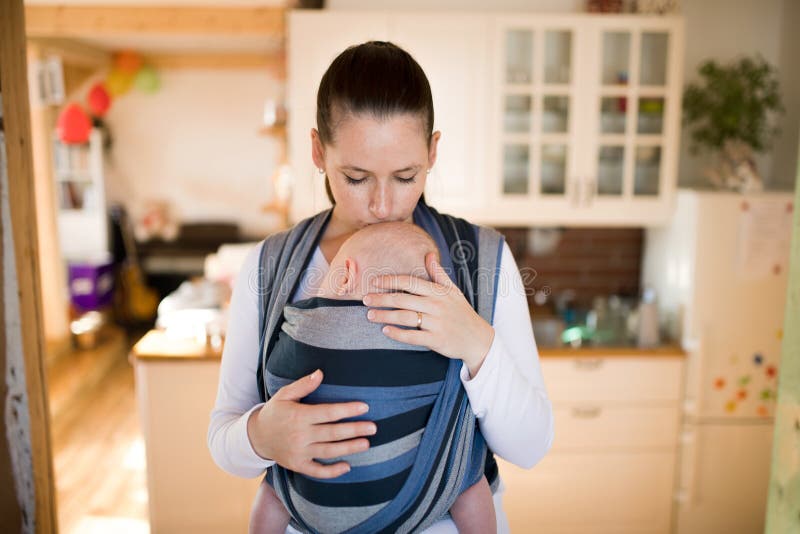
(612, 465)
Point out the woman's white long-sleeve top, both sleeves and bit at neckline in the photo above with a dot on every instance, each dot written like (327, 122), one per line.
(507, 395)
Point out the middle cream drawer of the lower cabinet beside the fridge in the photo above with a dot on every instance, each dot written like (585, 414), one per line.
(608, 427)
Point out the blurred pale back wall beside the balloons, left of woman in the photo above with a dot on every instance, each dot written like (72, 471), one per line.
(194, 143)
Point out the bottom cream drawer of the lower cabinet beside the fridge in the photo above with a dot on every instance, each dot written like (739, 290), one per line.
(590, 493)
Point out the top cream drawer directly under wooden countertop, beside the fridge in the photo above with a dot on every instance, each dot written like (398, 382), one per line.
(612, 379)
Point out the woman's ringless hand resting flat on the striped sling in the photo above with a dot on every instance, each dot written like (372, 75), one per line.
(294, 434)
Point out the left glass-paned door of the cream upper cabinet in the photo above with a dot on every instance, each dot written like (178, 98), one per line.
(537, 107)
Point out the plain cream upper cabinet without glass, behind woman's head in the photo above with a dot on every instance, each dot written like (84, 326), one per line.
(453, 51)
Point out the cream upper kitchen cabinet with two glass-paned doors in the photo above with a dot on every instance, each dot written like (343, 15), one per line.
(586, 119)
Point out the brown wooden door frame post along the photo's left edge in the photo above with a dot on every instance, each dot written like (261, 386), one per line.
(19, 161)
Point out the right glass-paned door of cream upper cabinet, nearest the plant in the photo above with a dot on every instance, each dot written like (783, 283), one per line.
(631, 103)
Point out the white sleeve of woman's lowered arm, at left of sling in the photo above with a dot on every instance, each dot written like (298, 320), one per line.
(237, 394)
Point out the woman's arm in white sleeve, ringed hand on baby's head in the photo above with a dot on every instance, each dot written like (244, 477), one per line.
(507, 392)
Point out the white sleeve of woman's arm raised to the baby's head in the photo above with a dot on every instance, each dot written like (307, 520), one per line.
(508, 395)
